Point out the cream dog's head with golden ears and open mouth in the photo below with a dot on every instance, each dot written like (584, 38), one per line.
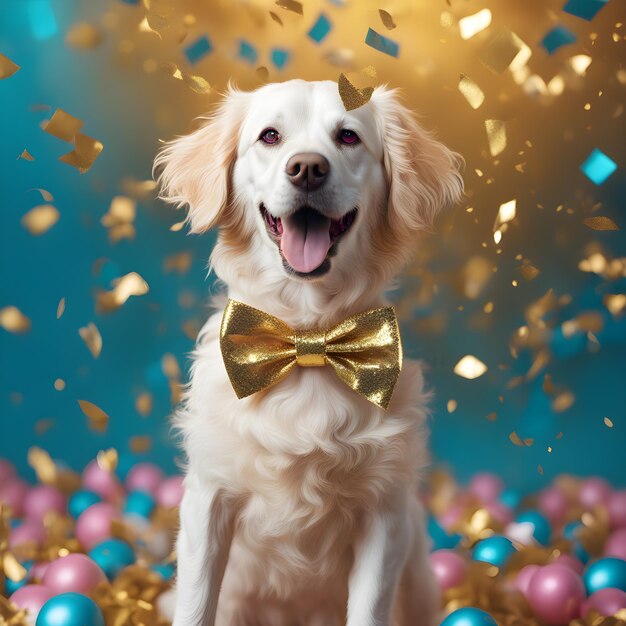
(307, 187)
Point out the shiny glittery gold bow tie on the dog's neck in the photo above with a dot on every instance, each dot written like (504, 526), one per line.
(260, 350)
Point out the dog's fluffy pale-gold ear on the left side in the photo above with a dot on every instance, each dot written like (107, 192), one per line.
(195, 170)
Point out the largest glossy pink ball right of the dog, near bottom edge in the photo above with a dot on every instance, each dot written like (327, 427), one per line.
(555, 594)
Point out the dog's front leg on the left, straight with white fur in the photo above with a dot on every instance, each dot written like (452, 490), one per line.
(202, 547)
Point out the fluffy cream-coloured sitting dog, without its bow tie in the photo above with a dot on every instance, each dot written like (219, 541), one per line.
(300, 503)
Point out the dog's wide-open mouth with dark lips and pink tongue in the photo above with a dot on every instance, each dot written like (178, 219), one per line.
(305, 238)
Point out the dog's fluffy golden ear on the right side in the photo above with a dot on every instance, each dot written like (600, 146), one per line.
(423, 175)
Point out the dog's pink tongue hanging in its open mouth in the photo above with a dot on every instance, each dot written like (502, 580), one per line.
(305, 240)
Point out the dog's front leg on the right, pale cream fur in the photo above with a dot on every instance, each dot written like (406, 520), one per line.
(379, 556)
